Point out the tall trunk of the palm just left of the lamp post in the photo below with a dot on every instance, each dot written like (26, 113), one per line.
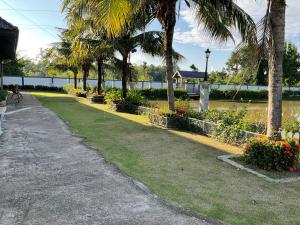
(169, 25)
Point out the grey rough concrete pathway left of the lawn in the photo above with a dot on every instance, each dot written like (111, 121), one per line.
(47, 176)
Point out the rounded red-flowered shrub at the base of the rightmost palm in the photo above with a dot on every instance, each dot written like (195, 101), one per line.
(272, 155)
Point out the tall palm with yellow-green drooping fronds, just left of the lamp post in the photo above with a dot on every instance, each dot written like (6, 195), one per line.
(218, 16)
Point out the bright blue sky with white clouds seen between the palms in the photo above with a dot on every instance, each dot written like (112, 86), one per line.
(38, 19)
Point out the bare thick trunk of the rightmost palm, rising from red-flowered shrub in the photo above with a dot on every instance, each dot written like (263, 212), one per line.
(277, 18)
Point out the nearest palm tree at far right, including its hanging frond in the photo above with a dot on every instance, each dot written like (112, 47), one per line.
(270, 43)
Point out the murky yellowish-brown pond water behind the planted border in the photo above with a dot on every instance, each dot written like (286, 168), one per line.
(256, 110)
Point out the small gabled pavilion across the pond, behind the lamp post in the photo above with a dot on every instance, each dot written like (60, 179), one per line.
(183, 77)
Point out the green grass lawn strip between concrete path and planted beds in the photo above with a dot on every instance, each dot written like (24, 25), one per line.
(180, 167)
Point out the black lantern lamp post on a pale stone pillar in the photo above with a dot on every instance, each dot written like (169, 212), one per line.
(204, 87)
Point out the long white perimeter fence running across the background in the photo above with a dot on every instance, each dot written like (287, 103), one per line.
(191, 88)
